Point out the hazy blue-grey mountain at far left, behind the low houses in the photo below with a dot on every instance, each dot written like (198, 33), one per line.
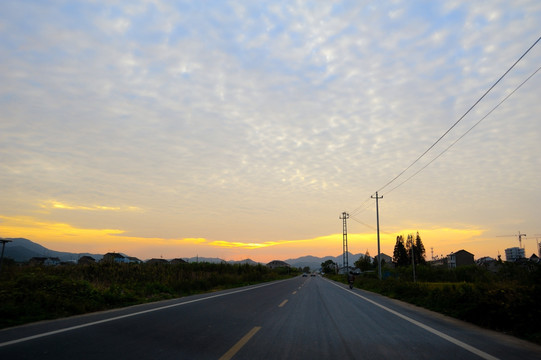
(21, 250)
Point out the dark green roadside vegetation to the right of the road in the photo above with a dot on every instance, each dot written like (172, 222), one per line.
(506, 300)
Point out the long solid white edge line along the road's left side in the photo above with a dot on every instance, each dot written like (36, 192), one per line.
(54, 332)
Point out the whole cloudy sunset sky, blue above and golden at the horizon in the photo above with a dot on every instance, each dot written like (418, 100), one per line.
(244, 129)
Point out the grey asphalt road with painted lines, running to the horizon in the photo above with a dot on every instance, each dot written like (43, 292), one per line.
(300, 318)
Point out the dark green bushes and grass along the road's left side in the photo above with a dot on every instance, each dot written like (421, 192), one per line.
(33, 293)
